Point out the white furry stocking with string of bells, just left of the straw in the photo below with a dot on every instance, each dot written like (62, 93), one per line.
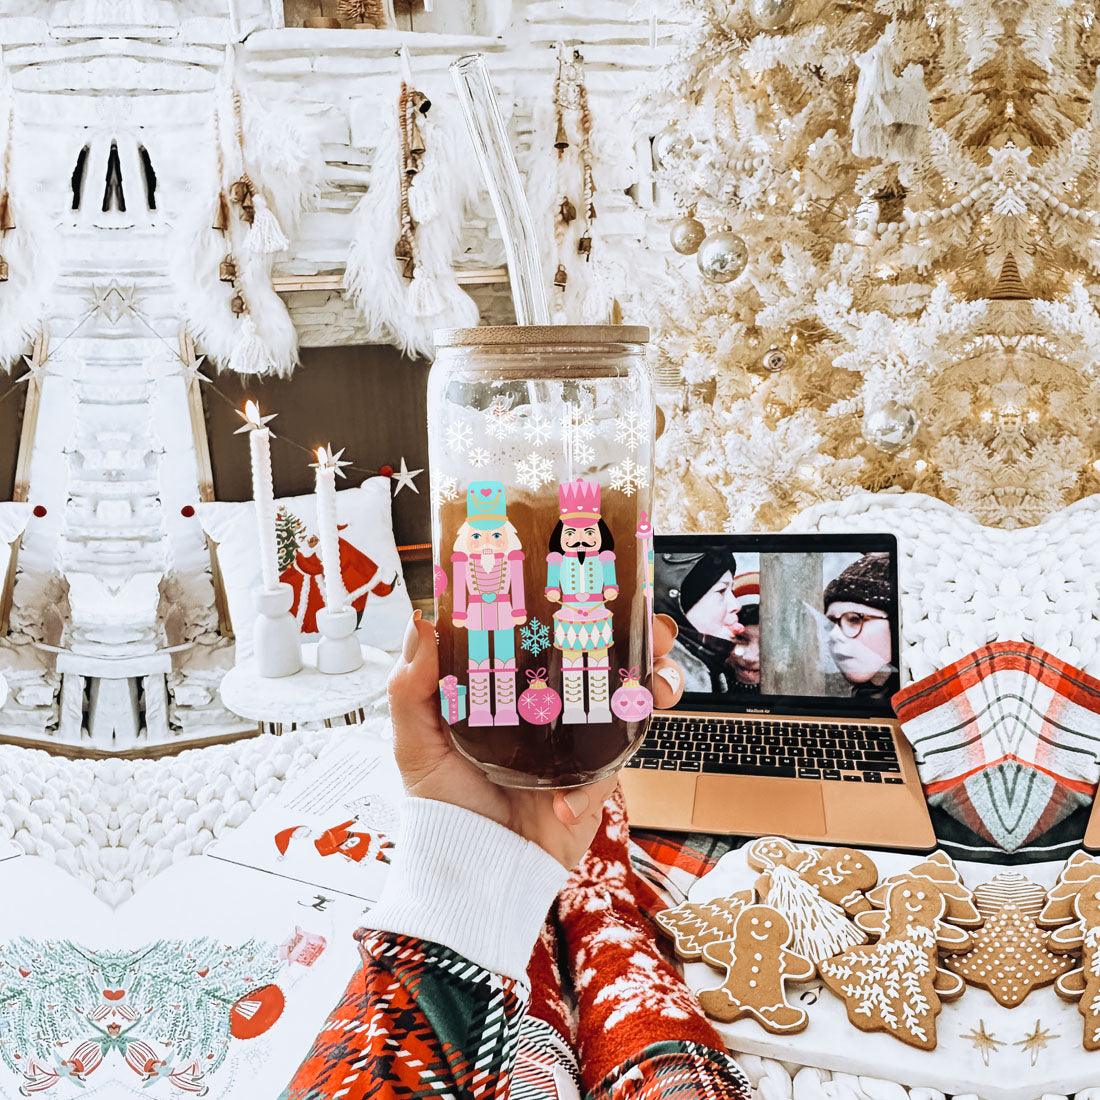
(406, 228)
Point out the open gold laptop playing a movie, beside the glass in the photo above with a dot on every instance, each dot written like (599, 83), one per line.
(790, 646)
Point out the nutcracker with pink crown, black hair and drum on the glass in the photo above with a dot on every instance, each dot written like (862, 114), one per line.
(581, 577)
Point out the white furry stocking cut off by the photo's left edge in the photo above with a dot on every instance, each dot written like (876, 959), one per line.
(28, 250)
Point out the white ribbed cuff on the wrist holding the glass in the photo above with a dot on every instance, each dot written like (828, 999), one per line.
(464, 882)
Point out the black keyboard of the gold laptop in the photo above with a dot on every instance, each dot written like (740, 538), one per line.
(863, 754)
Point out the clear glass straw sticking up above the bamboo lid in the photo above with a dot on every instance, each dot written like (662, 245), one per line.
(498, 163)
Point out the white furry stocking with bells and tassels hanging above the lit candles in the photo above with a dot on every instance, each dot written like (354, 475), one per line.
(268, 171)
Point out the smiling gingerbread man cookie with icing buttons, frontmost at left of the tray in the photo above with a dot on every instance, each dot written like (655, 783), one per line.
(758, 964)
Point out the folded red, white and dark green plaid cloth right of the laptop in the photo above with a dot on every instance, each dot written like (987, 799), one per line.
(1007, 741)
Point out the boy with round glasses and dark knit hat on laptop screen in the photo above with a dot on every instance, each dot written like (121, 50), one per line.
(859, 607)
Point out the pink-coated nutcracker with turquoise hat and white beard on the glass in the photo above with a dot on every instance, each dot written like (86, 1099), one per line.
(489, 603)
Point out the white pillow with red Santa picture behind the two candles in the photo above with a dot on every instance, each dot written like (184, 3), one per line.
(367, 525)
